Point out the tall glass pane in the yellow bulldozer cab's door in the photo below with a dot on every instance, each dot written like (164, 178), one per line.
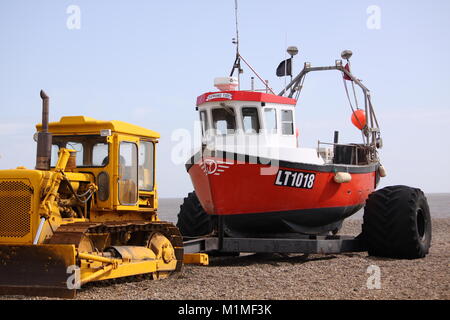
(128, 173)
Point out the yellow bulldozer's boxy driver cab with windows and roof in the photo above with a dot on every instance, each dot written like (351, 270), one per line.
(119, 157)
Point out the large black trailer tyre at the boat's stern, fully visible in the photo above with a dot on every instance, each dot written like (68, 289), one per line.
(397, 223)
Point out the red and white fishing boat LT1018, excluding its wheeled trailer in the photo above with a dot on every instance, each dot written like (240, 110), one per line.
(251, 172)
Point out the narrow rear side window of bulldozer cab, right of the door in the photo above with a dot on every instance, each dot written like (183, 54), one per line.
(146, 165)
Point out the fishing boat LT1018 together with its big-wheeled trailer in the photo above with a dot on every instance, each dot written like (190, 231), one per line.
(257, 189)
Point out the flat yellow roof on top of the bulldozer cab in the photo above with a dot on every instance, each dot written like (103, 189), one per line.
(86, 125)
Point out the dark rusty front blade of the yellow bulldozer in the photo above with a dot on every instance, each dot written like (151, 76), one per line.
(36, 270)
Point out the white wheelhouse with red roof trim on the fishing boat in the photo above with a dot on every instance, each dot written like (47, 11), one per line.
(253, 123)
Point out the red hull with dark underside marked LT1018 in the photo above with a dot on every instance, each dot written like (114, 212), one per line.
(258, 198)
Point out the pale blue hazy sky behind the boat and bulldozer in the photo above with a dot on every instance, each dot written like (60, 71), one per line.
(145, 62)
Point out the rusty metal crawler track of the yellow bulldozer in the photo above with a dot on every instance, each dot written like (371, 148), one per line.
(73, 233)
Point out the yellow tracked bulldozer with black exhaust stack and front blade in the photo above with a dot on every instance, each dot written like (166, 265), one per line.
(87, 212)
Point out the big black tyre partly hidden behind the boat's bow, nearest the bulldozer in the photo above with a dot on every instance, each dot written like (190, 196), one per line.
(193, 221)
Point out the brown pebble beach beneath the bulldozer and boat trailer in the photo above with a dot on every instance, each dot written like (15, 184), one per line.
(294, 277)
